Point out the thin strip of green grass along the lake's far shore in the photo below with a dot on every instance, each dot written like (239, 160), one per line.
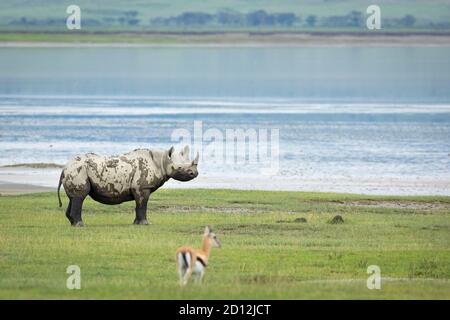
(209, 37)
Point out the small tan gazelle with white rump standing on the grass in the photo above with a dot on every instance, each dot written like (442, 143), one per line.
(194, 261)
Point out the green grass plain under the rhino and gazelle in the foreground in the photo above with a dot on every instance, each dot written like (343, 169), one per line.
(265, 254)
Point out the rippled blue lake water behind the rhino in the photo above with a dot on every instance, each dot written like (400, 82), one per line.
(373, 120)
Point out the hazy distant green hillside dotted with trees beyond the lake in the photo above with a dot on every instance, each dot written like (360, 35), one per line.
(222, 15)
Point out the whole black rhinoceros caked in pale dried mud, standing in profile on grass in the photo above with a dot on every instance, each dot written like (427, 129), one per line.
(116, 179)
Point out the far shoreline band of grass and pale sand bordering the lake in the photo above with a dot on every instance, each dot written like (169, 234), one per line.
(233, 40)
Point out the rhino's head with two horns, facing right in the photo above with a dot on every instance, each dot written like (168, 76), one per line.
(179, 166)
